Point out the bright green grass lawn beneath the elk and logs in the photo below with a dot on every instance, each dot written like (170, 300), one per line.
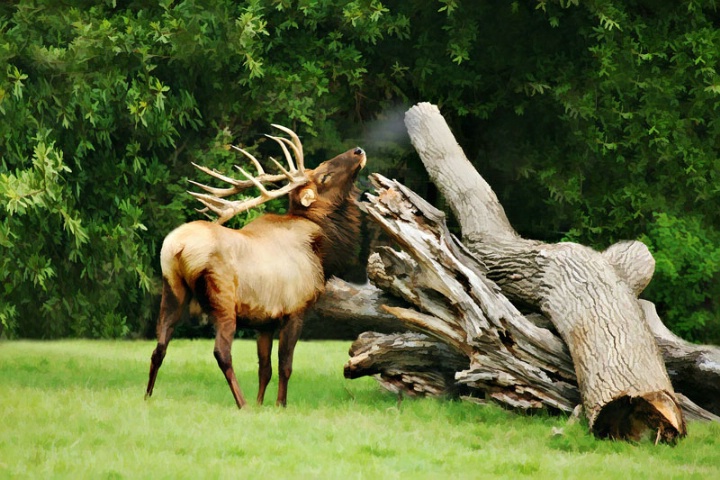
(75, 409)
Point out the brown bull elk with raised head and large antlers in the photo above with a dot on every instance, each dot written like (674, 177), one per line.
(265, 275)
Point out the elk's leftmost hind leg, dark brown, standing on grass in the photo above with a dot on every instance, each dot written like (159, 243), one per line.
(172, 308)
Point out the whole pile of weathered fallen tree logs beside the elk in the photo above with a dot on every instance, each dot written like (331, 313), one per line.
(600, 349)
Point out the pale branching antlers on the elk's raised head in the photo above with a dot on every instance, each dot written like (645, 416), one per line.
(225, 209)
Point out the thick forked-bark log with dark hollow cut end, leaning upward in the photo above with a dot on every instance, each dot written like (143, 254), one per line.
(618, 365)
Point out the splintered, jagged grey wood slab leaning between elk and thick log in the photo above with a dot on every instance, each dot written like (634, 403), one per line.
(510, 359)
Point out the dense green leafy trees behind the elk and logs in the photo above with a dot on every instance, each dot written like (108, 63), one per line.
(593, 121)
